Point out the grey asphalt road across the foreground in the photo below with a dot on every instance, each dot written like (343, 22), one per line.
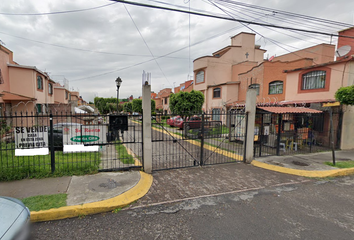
(311, 210)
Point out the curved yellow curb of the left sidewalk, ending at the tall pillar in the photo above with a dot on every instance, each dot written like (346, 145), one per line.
(133, 194)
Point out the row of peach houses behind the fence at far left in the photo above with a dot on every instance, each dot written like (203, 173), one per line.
(26, 89)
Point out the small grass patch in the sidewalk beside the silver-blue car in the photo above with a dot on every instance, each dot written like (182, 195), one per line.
(45, 202)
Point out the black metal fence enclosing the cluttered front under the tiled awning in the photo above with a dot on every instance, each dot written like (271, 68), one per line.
(295, 133)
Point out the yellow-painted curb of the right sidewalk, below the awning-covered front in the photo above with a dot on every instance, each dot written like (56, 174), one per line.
(305, 173)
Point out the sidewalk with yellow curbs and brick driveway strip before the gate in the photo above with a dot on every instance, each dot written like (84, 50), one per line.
(104, 192)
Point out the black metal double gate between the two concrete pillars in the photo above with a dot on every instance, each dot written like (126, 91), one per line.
(194, 140)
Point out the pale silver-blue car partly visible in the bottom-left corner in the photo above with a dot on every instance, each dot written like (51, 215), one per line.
(14, 220)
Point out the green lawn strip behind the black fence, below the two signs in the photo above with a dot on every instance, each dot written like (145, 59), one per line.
(19, 167)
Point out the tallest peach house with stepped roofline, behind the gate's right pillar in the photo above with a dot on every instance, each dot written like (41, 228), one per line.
(216, 76)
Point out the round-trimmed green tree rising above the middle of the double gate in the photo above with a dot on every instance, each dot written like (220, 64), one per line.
(185, 103)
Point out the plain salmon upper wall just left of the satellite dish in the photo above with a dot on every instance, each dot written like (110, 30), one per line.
(321, 53)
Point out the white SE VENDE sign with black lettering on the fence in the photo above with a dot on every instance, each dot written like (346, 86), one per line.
(31, 141)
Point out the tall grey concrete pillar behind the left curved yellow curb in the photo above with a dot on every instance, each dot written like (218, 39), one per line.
(147, 145)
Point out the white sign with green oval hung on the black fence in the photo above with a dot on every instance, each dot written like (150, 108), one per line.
(74, 137)
